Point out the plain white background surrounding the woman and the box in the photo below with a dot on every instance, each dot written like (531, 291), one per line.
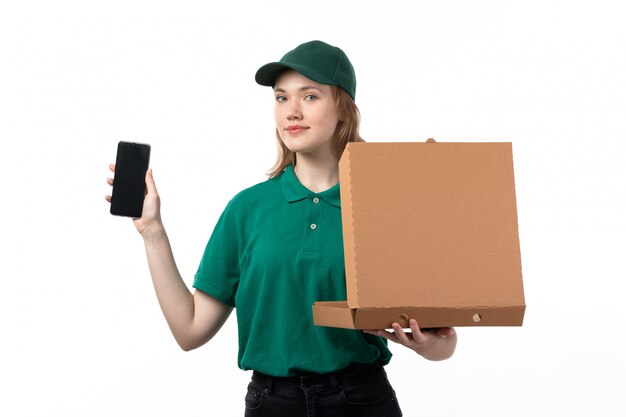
(81, 330)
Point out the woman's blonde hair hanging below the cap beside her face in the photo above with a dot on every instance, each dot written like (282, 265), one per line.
(347, 131)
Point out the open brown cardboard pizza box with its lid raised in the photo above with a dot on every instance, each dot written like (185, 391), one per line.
(430, 233)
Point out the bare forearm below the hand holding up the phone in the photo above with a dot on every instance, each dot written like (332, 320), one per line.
(174, 297)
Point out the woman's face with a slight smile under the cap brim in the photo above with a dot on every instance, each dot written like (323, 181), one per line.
(305, 113)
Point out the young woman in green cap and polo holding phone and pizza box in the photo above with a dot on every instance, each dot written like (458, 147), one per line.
(276, 249)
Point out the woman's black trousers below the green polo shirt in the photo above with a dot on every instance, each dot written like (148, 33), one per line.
(360, 390)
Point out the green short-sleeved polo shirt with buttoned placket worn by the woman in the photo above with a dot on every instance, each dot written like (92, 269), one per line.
(276, 249)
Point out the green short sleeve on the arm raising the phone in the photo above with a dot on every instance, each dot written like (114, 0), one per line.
(218, 273)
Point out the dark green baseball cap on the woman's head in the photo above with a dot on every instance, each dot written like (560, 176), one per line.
(316, 60)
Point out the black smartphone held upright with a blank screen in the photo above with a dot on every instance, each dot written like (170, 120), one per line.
(129, 182)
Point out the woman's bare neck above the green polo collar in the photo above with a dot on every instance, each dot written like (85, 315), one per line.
(317, 174)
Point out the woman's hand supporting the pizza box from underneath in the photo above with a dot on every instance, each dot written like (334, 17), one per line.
(433, 344)
